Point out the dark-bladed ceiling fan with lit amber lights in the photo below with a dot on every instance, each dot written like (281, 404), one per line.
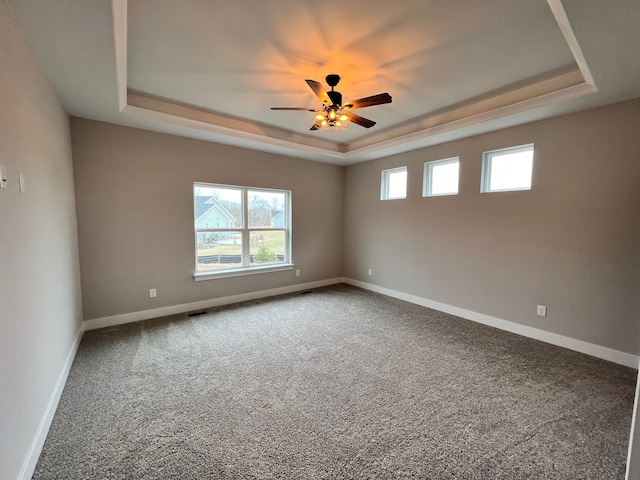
(334, 115)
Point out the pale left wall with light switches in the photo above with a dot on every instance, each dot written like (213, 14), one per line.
(40, 311)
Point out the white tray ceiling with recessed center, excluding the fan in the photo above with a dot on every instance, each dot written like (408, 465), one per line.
(211, 69)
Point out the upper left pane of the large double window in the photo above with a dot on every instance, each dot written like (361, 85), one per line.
(217, 207)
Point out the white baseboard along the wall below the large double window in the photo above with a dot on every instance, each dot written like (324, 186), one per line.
(110, 321)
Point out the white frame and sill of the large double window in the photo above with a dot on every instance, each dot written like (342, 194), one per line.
(244, 230)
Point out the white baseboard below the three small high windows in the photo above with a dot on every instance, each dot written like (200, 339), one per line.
(594, 350)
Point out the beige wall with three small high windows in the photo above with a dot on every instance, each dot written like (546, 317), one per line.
(571, 243)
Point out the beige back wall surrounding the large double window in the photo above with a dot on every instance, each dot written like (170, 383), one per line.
(135, 216)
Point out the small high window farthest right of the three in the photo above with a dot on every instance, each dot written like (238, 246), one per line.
(507, 169)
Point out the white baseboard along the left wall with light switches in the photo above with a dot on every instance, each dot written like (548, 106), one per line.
(32, 457)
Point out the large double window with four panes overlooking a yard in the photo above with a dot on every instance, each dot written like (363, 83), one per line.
(252, 233)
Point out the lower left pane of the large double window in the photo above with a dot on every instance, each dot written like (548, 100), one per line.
(219, 250)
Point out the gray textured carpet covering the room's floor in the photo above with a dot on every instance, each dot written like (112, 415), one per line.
(339, 383)
